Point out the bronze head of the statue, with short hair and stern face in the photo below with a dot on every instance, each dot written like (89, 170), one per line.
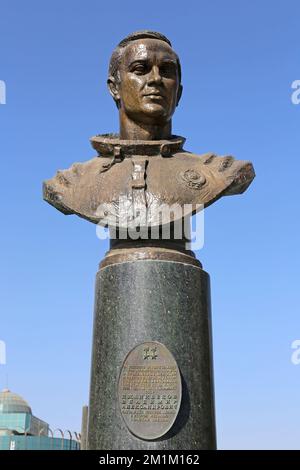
(145, 77)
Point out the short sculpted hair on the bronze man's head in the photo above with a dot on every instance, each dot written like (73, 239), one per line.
(116, 57)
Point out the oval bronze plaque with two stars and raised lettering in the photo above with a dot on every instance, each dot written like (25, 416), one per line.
(149, 390)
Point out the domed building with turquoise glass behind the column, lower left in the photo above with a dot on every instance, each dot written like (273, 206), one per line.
(21, 430)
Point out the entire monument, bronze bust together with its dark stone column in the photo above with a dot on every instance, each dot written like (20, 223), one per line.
(151, 290)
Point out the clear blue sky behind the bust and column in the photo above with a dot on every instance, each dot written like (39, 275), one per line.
(239, 60)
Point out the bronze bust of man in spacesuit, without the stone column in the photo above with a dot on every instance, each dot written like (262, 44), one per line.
(145, 165)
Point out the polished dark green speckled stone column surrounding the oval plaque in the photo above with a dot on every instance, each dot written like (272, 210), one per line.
(151, 300)
